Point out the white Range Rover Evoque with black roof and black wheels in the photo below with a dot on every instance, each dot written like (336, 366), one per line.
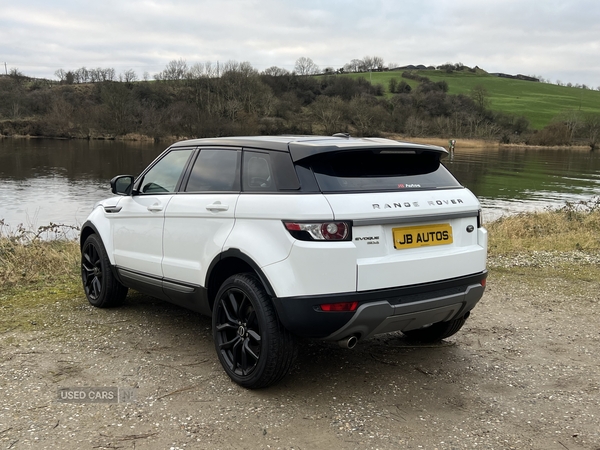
(333, 238)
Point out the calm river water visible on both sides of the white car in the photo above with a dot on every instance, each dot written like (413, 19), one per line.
(44, 181)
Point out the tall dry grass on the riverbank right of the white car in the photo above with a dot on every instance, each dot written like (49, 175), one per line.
(575, 226)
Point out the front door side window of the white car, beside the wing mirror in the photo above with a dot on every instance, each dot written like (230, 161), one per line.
(165, 174)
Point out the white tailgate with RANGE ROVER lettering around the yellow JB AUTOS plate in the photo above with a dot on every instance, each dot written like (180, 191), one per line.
(451, 212)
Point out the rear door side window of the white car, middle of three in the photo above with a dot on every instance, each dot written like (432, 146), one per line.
(215, 170)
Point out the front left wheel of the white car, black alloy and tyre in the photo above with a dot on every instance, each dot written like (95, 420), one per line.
(101, 287)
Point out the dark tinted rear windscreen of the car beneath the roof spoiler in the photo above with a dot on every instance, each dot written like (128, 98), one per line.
(380, 171)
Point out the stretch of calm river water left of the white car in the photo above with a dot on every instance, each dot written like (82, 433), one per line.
(43, 181)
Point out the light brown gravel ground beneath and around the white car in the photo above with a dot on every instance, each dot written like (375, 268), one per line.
(523, 373)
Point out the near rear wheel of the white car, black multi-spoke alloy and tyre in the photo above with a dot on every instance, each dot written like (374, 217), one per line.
(253, 347)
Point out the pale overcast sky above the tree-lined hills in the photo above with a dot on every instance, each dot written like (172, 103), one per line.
(559, 40)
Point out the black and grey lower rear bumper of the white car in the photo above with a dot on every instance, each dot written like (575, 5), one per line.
(382, 311)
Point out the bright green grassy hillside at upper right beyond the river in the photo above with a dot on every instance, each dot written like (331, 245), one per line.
(538, 102)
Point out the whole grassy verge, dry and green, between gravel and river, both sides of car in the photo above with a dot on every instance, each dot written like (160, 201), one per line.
(551, 247)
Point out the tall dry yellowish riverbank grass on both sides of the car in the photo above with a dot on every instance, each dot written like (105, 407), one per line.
(46, 259)
